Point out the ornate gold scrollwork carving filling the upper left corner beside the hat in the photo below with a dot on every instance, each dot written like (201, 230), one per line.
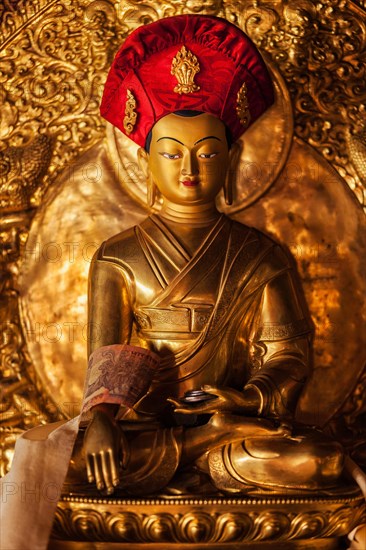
(48, 86)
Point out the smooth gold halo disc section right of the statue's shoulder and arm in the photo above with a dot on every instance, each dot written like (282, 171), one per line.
(309, 208)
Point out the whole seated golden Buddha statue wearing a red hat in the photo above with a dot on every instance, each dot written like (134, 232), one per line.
(216, 301)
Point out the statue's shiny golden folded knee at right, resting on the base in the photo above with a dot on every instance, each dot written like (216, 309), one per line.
(307, 461)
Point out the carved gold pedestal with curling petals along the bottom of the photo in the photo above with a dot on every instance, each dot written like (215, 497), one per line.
(278, 521)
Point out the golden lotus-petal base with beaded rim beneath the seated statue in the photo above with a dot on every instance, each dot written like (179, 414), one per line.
(206, 521)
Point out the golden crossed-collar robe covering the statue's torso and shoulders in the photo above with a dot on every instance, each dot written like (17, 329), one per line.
(228, 316)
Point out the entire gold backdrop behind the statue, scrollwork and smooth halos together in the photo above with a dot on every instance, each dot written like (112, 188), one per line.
(64, 188)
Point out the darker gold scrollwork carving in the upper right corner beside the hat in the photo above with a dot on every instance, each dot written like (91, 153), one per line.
(320, 51)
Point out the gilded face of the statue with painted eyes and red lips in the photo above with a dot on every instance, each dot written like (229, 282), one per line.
(188, 158)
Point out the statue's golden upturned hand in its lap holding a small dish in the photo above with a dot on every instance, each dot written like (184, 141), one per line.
(227, 400)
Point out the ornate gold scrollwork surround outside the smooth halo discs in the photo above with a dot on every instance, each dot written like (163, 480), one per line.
(54, 56)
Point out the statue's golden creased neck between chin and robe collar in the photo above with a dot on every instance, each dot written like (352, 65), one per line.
(200, 215)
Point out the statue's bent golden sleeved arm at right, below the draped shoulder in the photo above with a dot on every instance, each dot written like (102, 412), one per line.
(279, 348)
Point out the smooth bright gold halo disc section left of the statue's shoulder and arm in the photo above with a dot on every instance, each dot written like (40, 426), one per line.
(57, 336)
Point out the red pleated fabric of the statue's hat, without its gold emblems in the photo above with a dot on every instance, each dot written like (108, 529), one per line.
(227, 59)
